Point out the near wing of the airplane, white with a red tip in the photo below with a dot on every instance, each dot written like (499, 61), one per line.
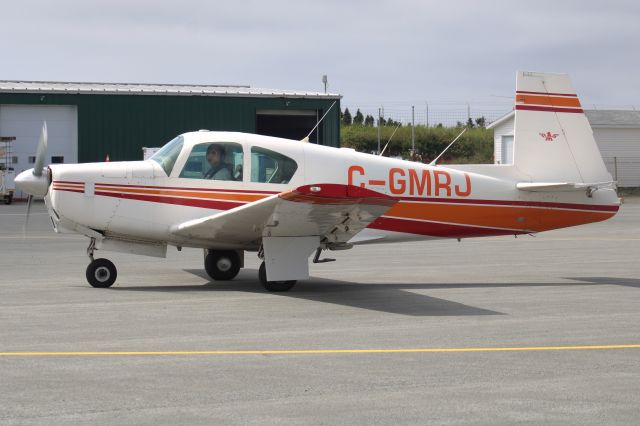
(333, 212)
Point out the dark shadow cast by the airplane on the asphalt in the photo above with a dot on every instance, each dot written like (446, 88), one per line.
(396, 298)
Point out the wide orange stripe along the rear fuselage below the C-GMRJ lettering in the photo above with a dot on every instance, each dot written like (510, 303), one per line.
(520, 218)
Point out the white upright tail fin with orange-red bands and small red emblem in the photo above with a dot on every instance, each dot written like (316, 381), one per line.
(553, 141)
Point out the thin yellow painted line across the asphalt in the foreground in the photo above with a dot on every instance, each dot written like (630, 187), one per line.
(321, 351)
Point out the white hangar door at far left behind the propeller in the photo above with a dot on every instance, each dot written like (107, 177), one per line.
(25, 123)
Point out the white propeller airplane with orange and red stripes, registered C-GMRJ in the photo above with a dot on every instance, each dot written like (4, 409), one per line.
(229, 193)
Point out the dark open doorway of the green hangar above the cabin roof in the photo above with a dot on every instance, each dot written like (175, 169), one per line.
(289, 124)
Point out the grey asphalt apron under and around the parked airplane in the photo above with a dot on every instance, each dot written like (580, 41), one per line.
(542, 329)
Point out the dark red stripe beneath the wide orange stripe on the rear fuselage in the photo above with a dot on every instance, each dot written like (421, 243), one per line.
(436, 229)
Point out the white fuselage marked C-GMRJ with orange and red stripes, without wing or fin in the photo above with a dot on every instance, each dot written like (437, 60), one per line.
(142, 200)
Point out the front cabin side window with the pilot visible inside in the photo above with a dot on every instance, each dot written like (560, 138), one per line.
(215, 161)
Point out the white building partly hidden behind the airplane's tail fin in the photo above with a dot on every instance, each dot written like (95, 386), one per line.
(617, 133)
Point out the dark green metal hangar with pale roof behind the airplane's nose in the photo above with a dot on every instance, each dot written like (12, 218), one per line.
(89, 121)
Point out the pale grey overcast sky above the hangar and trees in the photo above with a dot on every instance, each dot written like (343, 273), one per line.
(392, 52)
